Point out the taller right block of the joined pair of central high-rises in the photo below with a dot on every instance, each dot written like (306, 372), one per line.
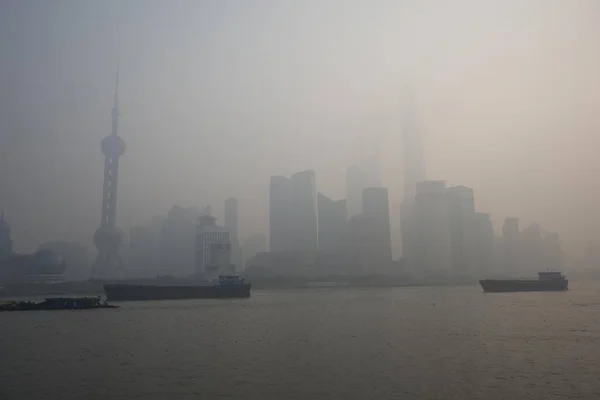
(304, 225)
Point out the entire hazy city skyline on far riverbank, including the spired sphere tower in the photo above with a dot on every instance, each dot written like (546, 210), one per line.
(310, 234)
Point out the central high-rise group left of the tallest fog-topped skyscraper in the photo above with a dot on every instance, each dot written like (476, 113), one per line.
(313, 234)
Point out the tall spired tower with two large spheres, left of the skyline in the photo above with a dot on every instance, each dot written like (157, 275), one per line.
(108, 237)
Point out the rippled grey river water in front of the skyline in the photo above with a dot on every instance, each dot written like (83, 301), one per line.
(404, 343)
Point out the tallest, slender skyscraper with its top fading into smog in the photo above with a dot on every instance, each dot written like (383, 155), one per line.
(414, 172)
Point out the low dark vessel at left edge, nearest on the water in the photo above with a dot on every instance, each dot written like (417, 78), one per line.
(57, 303)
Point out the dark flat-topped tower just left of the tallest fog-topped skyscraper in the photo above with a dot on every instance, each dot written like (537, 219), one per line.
(376, 214)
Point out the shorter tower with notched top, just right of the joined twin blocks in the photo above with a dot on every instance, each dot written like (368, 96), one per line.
(332, 224)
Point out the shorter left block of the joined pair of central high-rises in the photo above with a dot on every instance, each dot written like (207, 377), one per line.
(279, 214)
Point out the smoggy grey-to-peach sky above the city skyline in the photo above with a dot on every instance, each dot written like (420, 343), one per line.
(216, 96)
